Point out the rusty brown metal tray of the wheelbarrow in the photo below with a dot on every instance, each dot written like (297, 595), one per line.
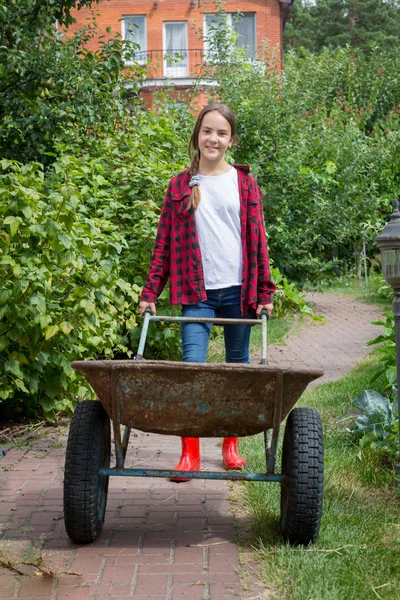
(193, 399)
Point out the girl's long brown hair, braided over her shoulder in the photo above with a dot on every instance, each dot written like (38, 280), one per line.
(194, 152)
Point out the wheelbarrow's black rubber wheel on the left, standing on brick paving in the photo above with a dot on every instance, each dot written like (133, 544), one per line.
(85, 491)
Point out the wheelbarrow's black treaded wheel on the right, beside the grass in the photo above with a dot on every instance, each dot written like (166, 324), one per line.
(302, 477)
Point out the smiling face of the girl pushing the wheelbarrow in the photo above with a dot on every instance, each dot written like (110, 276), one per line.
(215, 137)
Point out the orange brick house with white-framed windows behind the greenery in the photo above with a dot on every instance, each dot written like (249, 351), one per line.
(165, 31)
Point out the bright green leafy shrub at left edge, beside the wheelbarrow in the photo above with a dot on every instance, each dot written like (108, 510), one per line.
(62, 297)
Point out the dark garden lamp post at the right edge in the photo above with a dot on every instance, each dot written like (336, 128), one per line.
(389, 245)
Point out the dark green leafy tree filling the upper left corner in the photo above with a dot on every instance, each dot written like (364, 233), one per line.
(50, 84)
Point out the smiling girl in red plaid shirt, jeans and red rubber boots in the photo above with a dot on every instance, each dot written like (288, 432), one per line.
(211, 244)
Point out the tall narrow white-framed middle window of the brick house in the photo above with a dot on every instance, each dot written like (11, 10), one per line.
(175, 49)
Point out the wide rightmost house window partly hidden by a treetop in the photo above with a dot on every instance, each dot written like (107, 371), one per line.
(243, 24)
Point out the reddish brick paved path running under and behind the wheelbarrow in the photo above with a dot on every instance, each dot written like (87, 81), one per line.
(161, 541)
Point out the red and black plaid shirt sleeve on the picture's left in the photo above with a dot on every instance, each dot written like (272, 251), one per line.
(161, 257)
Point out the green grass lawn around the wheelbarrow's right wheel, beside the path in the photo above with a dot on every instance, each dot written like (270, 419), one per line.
(357, 555)
